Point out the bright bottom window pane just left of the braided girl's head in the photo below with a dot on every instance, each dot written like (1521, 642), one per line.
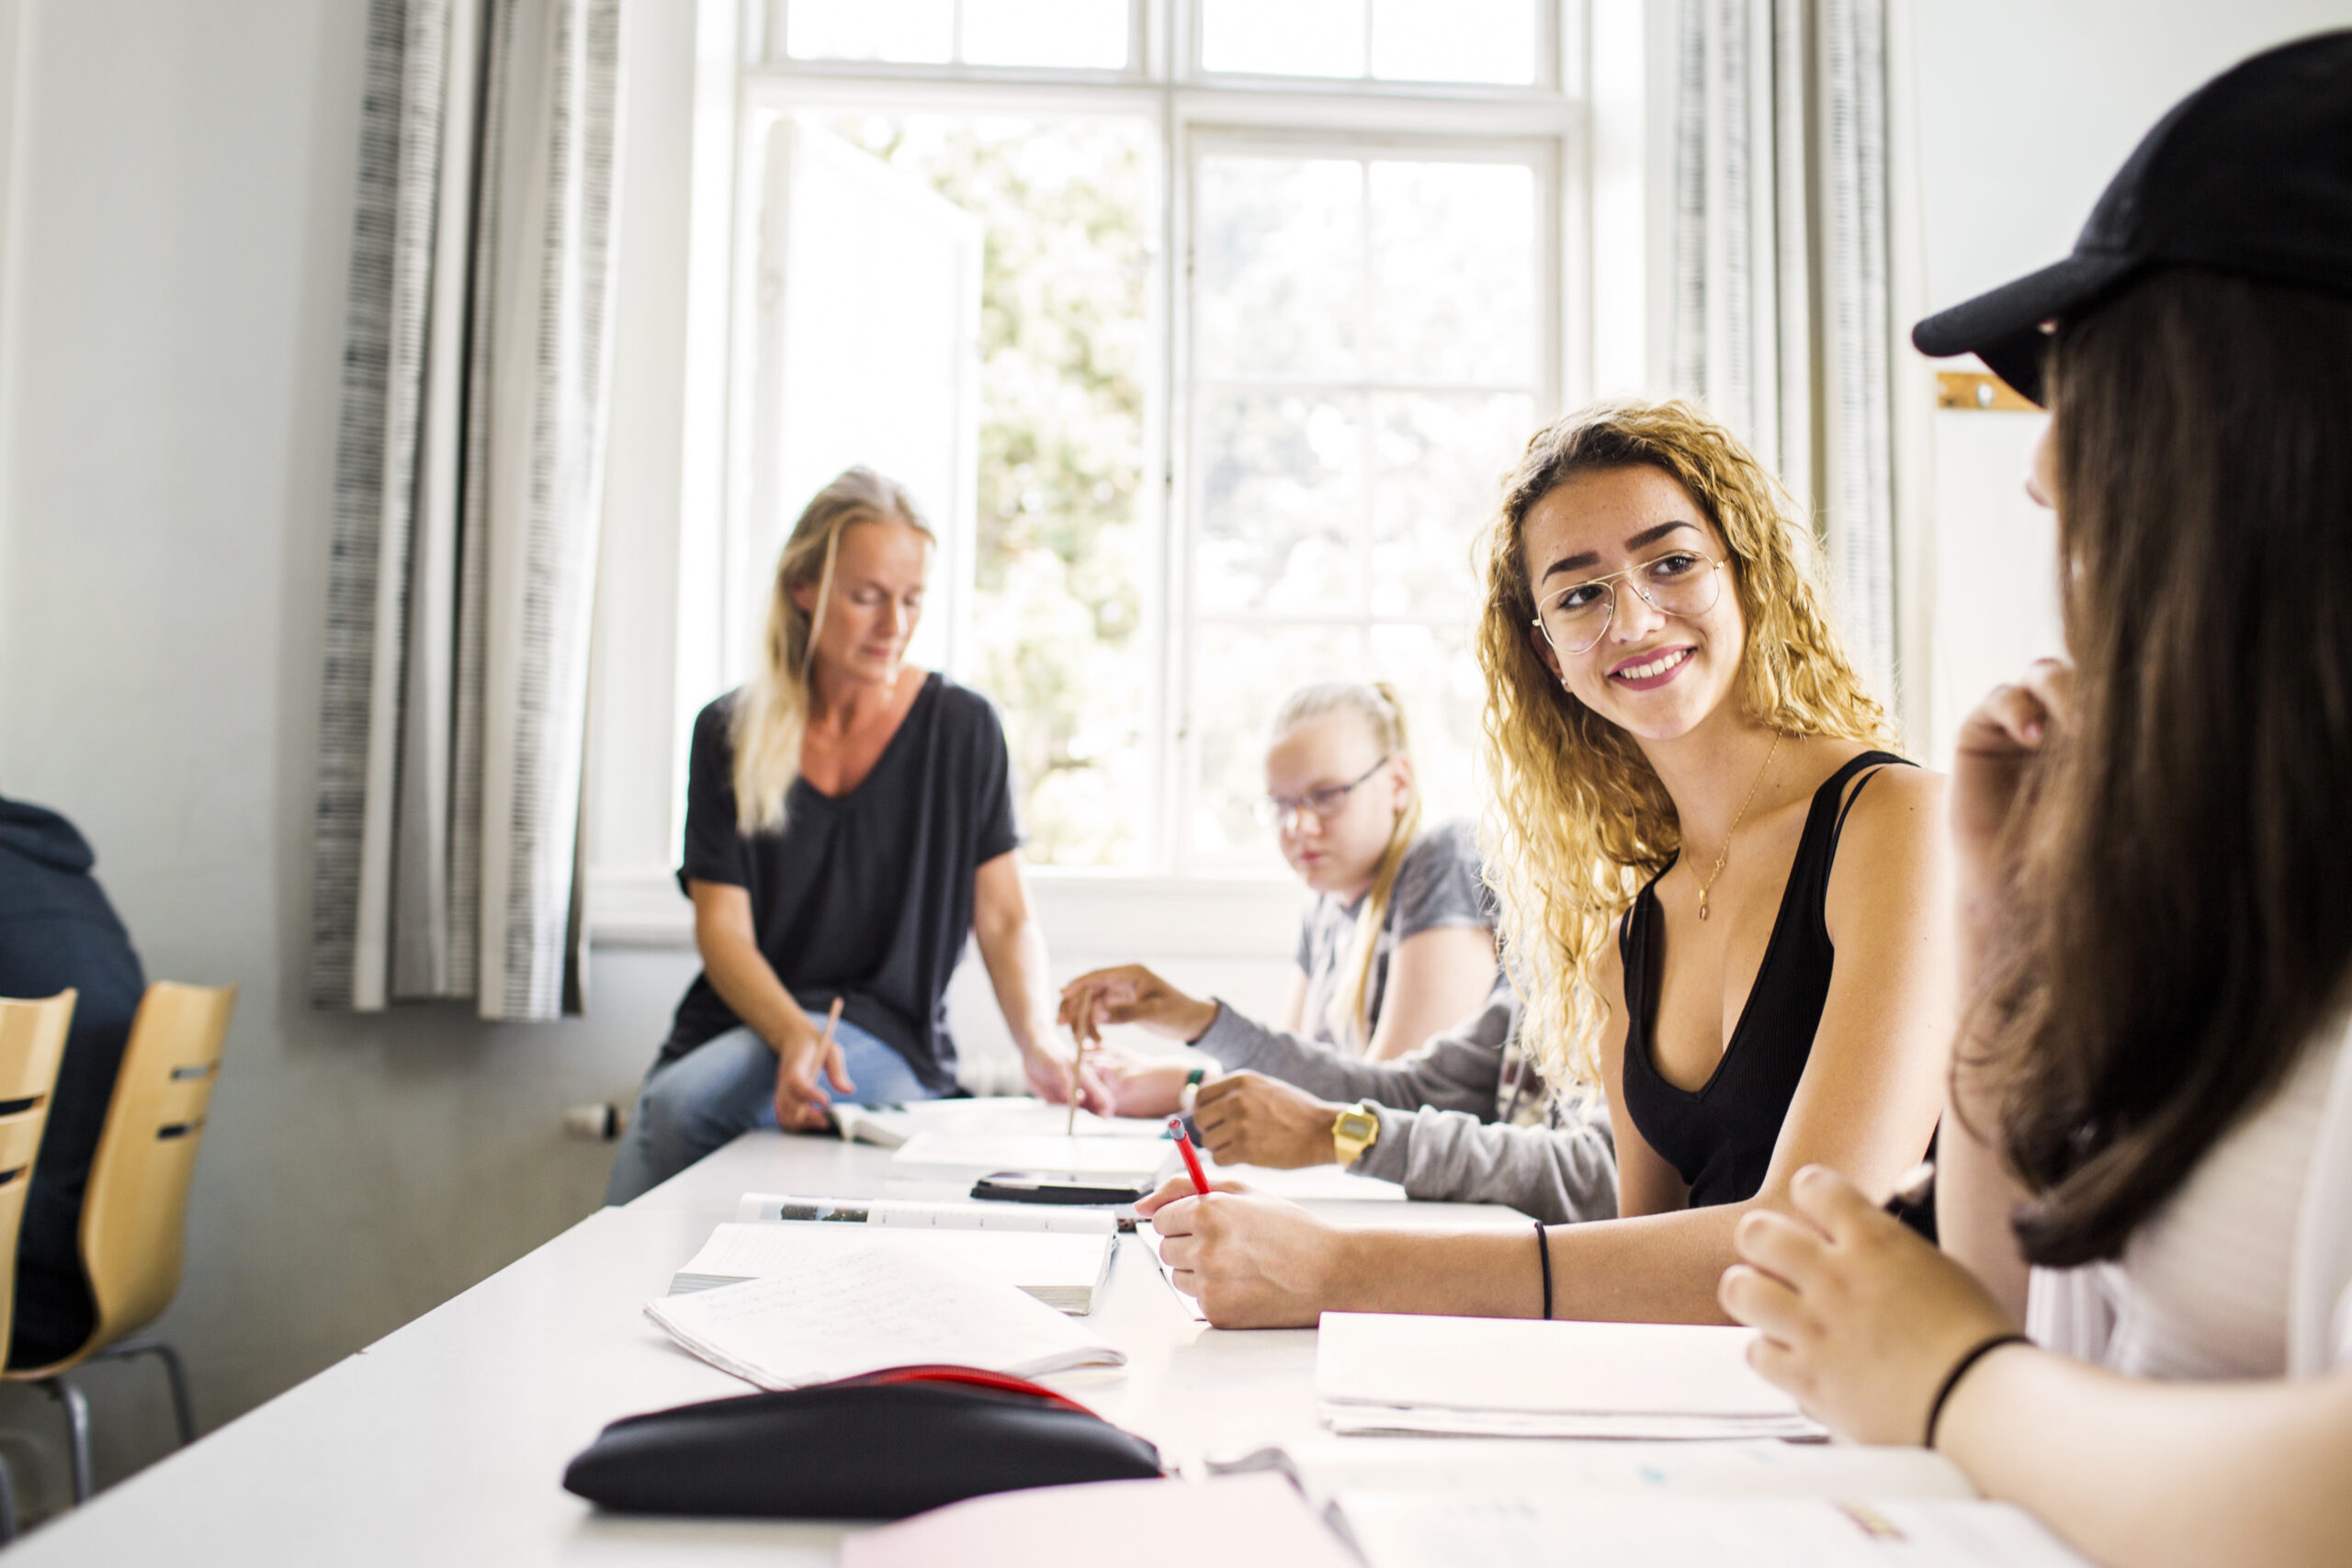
(1241, 676)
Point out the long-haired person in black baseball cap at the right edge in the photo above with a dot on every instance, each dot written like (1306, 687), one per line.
(2153, 1087)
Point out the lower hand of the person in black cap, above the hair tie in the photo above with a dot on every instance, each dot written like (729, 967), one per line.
(1862, 1320)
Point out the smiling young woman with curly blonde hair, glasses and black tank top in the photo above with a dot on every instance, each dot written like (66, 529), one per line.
(1728, 904)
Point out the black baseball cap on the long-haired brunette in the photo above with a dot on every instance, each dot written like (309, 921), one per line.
(2250, 175)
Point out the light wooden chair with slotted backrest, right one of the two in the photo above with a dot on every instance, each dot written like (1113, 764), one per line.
(135, 1212)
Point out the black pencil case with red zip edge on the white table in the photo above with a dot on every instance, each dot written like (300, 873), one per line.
(878, 1447)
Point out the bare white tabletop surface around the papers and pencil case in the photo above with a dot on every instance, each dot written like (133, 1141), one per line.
(446, 1442)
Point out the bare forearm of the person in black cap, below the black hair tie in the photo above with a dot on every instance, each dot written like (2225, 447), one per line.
(2160, 1475)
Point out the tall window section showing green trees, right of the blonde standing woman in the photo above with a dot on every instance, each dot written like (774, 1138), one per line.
(1057, 629)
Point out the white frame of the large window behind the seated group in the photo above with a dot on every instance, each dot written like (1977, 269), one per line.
(1191, 112)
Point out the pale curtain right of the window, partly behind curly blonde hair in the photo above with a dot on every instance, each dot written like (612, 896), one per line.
(1782, 272)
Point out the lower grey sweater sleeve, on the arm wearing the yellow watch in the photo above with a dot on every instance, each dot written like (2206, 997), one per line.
(1558, 1174)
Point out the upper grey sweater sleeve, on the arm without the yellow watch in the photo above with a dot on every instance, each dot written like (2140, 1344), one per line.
(1457, 1071)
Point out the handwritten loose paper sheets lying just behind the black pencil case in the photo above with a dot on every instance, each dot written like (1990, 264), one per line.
(869, 1308)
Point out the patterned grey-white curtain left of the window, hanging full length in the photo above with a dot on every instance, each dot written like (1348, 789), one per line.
(467, 507)
